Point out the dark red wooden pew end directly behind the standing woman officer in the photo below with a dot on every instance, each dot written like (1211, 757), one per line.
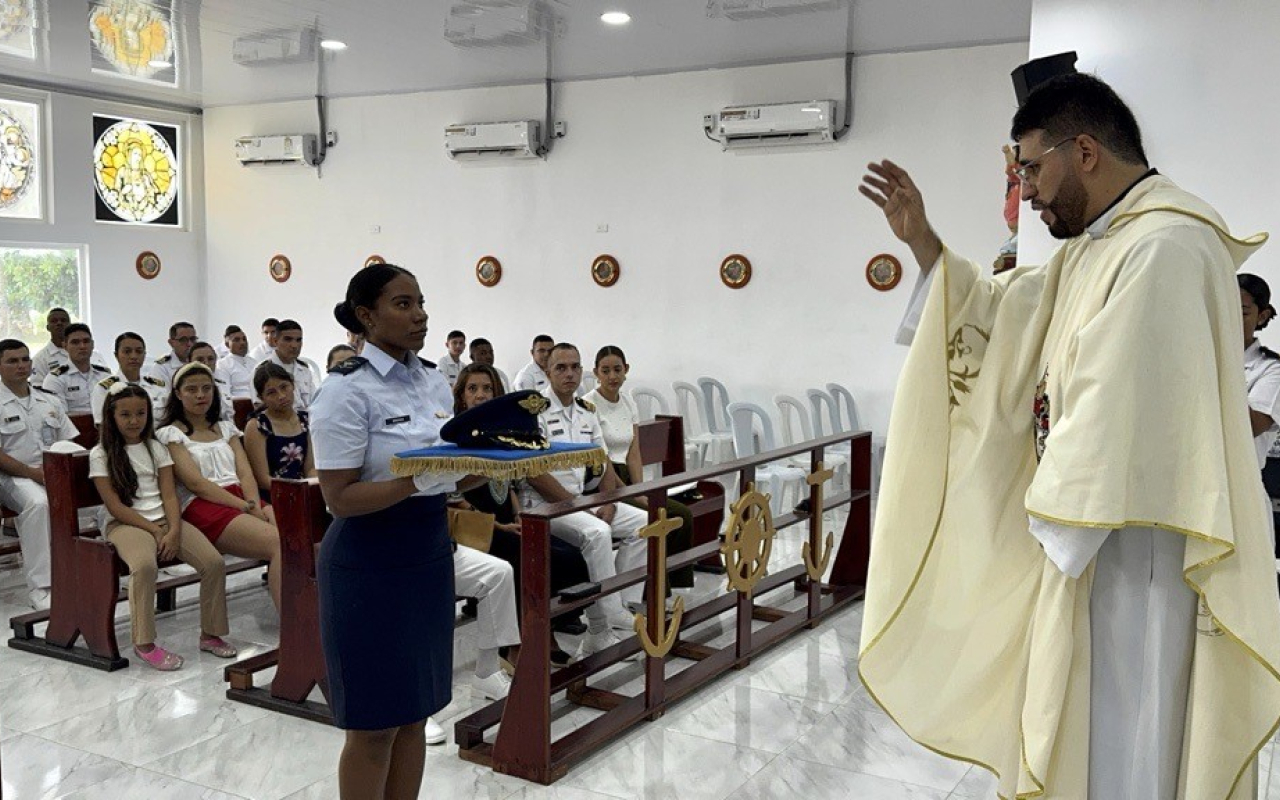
(303, 519)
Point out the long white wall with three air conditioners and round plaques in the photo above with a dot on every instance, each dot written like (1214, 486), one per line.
(636, 159)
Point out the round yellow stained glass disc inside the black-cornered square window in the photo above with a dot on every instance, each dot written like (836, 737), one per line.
(135, 172)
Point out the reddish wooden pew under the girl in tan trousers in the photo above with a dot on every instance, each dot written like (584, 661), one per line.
(86, 574)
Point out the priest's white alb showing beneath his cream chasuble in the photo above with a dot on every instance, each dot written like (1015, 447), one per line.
(1142, 629)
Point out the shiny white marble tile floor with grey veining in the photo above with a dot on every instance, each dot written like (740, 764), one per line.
(794, 724)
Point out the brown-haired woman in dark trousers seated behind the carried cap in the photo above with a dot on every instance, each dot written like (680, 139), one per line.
(474, 386)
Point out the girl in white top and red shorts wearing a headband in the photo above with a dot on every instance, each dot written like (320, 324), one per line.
(218, 492)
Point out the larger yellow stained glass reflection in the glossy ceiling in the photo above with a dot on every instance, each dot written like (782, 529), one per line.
(134, 39)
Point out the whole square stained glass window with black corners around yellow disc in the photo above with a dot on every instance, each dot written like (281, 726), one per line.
(136, 172)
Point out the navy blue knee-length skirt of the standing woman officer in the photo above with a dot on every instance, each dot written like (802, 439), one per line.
(387, 611)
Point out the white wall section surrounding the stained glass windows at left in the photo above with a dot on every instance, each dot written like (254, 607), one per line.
(118, 299)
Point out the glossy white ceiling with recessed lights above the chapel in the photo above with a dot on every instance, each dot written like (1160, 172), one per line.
(420, 45)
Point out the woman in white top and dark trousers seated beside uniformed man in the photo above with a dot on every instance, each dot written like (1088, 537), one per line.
(619, 418)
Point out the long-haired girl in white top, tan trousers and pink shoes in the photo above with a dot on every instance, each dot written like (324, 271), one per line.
(134, 476)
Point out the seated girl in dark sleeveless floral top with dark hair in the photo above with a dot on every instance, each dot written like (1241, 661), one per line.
(277, 437)
